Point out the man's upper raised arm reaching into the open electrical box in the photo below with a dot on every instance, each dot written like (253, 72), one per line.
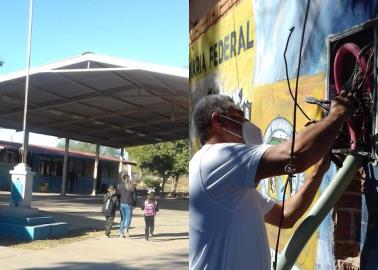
(311, 144)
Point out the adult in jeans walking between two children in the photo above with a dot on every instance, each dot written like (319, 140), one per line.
(127, 196)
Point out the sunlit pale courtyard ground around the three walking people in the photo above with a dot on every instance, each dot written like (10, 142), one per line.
(86, 246)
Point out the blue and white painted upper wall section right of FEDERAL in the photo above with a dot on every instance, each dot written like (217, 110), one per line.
(326, 17)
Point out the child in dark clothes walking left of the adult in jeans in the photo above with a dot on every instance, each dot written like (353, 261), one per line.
(109, 208)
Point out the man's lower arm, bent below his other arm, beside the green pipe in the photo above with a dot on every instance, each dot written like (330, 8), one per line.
(297, 205)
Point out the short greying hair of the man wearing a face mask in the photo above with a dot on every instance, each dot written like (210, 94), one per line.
(201, 115)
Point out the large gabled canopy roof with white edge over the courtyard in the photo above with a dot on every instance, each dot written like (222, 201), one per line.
(103, 100)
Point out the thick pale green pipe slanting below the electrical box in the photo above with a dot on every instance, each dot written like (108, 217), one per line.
(327, 200)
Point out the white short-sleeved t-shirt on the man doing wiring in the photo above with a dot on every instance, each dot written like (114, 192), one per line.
(226, 212)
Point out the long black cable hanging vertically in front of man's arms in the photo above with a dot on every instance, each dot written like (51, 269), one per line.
(290, 168)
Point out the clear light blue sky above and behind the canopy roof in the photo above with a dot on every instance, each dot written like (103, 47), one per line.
(154, 31)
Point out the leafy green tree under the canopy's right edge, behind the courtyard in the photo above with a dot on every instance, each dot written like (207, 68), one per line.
(163, 159)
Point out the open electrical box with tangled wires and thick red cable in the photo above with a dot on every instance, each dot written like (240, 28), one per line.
(352, 67)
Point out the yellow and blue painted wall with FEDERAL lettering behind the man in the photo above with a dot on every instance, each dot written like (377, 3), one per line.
(241, 55)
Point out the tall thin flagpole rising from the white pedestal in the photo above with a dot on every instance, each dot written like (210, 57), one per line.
(24, 149)
